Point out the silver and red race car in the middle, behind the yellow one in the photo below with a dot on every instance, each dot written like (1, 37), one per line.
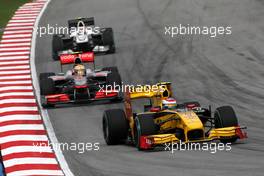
(79, 84)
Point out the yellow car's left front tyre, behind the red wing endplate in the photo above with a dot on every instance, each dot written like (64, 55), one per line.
(144, 126)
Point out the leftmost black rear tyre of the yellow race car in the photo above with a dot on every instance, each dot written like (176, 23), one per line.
(115, 126)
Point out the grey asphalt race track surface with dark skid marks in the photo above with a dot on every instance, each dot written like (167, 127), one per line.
(227, 70)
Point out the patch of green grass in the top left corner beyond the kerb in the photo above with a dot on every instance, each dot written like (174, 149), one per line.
(7, 10)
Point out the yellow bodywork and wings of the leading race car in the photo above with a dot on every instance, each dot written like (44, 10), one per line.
(185, 120)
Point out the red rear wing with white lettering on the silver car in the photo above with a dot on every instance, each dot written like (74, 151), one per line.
(86, 57)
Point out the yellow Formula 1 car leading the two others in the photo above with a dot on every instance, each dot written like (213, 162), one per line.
(164, 121)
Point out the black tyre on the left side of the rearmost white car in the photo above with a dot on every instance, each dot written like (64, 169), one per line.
(57, 45)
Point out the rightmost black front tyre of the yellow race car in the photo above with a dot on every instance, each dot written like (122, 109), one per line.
(225, 116)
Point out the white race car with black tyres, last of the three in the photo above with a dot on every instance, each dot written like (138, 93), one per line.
(84, 36)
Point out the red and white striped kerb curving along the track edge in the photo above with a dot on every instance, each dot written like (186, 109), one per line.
(21, 125)
